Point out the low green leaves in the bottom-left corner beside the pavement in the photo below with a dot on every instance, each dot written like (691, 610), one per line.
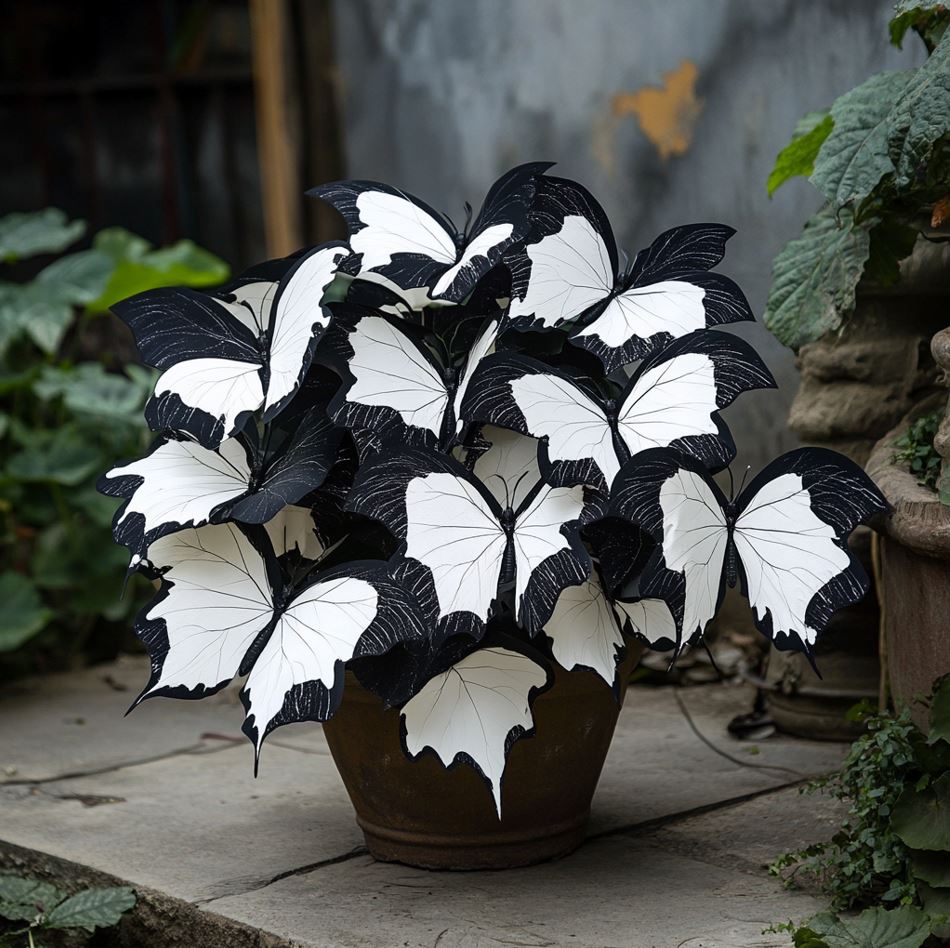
(43, 906)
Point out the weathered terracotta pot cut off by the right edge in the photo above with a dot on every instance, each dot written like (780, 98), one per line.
(915, 578)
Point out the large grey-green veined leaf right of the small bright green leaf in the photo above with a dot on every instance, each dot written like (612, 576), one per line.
(855, 157)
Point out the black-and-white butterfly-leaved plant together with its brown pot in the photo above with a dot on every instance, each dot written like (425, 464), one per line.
(406, 487)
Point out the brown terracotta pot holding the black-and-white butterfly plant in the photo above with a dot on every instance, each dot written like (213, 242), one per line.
(419, 813)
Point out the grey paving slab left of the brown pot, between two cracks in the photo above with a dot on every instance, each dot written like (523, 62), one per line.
(197, 825)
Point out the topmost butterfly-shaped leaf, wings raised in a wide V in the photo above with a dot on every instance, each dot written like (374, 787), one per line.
(410, 244)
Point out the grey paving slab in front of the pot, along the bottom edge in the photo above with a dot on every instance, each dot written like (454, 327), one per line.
(615, 891)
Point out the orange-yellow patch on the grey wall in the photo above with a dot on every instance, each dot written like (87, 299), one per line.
(667, 114)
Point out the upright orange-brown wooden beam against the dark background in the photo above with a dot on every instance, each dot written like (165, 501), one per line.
(277, 127)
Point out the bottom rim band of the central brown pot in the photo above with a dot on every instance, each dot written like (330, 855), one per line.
(467, 852)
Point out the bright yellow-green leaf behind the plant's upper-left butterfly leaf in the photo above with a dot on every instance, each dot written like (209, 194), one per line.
(139, 268)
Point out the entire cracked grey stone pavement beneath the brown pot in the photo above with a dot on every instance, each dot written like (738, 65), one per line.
(166, 799)
